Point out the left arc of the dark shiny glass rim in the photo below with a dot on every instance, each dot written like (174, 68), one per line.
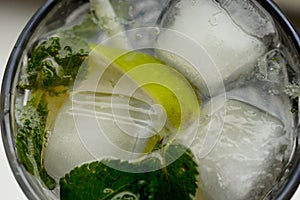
(6, 100)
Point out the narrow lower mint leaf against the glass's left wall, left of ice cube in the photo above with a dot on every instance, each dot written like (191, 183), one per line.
(32, 137)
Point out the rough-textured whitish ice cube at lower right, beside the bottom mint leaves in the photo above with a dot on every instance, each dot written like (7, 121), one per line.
(249, 153)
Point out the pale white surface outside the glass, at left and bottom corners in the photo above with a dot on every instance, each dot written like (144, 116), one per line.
(14, 14)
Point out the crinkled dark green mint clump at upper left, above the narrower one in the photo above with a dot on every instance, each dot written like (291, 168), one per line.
(55, 62)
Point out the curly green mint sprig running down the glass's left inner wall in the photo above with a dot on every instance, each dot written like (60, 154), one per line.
(51, 70)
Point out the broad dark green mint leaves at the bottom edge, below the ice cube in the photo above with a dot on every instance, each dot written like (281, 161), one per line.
(110, 179)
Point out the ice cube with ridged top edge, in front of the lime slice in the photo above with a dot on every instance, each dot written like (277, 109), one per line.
(87, 129)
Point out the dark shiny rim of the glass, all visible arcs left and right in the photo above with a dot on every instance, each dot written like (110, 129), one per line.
(286, 193)
